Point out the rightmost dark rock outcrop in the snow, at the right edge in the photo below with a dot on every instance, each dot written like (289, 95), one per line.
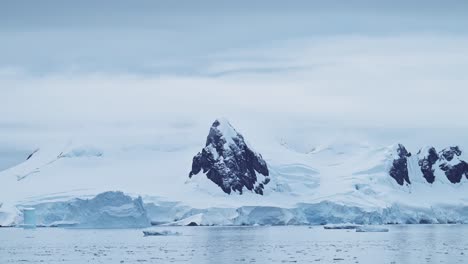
(452, 165)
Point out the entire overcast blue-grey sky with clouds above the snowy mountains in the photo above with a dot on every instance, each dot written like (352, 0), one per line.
(70, 65)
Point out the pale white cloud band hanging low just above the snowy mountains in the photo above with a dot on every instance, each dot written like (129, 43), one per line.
(400, 80)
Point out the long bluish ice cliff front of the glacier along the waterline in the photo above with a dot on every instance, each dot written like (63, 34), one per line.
(116, 210)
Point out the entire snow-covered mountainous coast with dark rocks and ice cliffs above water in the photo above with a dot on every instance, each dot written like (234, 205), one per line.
(304, 178)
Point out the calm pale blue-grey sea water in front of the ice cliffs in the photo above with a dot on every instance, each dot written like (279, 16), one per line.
(285, 244)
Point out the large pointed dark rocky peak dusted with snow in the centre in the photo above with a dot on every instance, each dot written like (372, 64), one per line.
(229, 162)
